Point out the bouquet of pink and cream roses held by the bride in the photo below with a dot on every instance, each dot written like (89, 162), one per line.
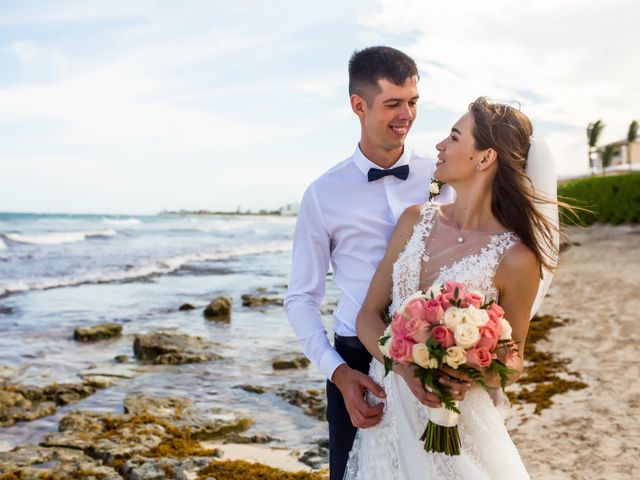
(448, 325)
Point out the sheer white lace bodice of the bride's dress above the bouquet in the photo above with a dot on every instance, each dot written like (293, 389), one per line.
(433, 255)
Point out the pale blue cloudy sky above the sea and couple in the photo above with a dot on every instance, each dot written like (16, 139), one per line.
(138, 106)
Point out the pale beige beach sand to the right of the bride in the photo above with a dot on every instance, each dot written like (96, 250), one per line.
(592, 433)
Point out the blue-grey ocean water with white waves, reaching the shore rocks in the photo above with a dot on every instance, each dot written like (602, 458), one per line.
(62, 271)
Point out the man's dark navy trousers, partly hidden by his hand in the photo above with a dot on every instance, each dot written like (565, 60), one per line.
(341, 431)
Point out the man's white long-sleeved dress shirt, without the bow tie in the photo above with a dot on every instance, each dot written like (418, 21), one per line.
(346, 221)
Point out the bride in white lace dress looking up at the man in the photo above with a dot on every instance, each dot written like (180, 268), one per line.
(496, 239)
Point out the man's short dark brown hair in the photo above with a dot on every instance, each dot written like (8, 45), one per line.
(368, 66)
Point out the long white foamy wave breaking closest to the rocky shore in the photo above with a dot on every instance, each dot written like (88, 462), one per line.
(160, 267)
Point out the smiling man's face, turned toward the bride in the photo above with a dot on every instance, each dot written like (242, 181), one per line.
(388, 119)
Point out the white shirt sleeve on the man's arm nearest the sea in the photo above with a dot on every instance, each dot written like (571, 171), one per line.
(310, 263)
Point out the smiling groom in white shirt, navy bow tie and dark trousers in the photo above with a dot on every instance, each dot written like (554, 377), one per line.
(345, 220)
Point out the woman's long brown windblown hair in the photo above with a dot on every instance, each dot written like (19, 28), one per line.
(508, 131)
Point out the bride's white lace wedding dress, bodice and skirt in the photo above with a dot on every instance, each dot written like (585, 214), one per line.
(392, 450)
